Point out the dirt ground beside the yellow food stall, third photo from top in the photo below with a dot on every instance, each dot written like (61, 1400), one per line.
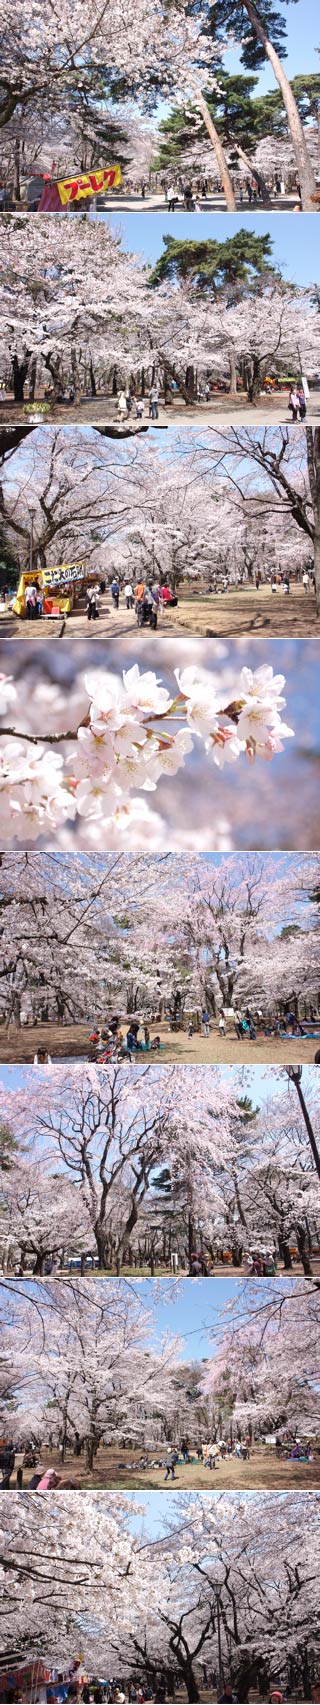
(227, 615)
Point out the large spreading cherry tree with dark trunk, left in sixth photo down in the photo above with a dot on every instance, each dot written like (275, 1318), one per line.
(93, 1148)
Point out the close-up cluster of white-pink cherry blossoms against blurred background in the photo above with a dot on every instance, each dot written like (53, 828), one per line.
(129, 731)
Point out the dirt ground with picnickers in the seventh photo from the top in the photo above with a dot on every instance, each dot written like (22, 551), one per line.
(120, 1469)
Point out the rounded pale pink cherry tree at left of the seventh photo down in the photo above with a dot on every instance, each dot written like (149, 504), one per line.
(89, 1367)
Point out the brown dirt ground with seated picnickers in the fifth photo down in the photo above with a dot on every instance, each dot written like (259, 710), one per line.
(71, 1043)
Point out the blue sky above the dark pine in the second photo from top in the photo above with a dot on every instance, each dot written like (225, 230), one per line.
(297, 250)
